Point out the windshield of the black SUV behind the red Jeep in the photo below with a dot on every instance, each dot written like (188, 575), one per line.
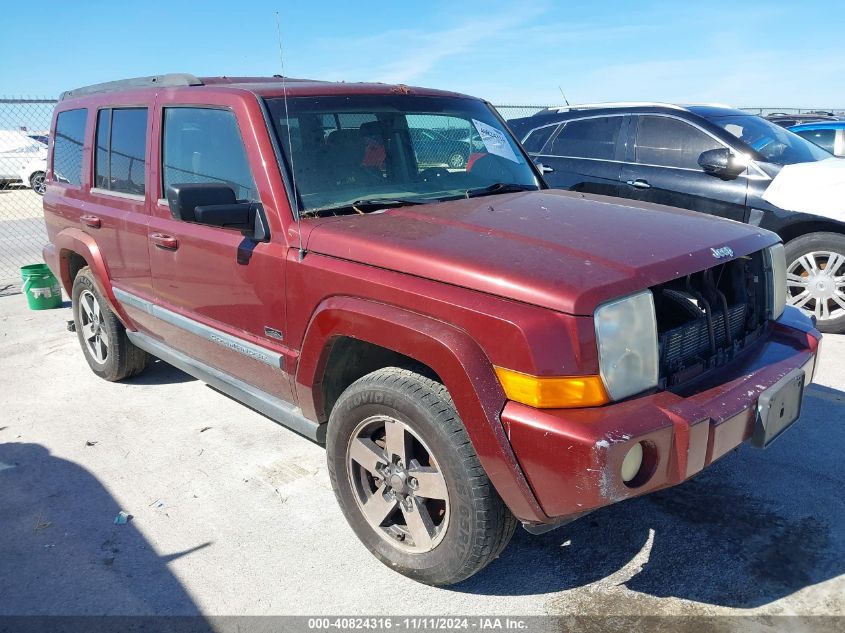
(774, 143)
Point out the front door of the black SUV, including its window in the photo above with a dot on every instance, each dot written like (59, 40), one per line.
(662, 167)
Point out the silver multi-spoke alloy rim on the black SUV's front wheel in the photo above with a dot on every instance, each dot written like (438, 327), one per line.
(816, 283)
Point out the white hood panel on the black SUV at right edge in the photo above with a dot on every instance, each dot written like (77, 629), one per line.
(817, 187)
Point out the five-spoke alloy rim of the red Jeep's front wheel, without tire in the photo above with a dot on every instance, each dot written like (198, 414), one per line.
(398, 484)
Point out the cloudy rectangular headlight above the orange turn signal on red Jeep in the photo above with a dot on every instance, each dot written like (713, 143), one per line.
(626, 334)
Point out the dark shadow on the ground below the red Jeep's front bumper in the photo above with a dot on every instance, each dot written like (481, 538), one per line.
(754, 527)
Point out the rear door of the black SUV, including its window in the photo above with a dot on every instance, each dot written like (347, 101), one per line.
(586, 154)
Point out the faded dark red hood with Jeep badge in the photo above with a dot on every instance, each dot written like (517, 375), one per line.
(556, 249)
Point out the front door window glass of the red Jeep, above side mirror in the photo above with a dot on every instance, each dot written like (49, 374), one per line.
(204, 145)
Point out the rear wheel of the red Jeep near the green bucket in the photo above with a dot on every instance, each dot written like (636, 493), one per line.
(109, 352)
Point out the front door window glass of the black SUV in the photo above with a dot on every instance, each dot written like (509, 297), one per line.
(669, 142)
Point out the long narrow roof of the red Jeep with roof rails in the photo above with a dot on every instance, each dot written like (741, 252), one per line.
(275, 85)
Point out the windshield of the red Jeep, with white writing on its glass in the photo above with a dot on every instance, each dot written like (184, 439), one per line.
(349, 152)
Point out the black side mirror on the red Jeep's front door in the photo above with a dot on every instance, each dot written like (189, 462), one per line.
(215, 204)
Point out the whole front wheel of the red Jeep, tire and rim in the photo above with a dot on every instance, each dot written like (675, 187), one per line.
(467, 529)
